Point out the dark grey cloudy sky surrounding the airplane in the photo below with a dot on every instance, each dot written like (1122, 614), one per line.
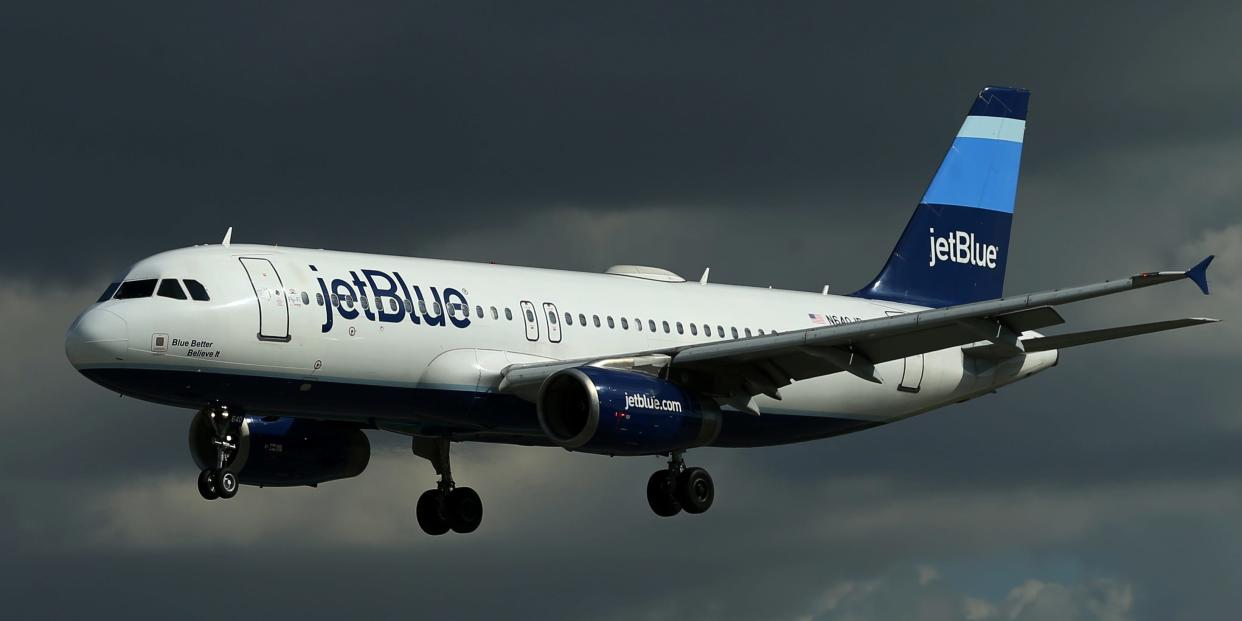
(779, 143)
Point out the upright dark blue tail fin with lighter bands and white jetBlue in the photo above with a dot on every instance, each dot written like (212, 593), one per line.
(954, 248)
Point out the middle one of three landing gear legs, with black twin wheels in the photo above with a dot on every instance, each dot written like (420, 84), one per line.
(448, 507)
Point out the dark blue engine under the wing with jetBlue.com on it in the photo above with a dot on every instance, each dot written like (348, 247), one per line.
(624, 413)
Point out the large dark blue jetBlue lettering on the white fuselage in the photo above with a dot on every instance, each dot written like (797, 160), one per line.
(394, 301)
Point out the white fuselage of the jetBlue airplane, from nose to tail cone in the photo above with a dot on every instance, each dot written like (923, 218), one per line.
(478, 320)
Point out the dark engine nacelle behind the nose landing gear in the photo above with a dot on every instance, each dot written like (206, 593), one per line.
(285, 453)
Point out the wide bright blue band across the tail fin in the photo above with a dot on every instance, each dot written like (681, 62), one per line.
(978, 173)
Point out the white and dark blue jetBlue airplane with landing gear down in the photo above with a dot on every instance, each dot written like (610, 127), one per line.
(288, 355)
